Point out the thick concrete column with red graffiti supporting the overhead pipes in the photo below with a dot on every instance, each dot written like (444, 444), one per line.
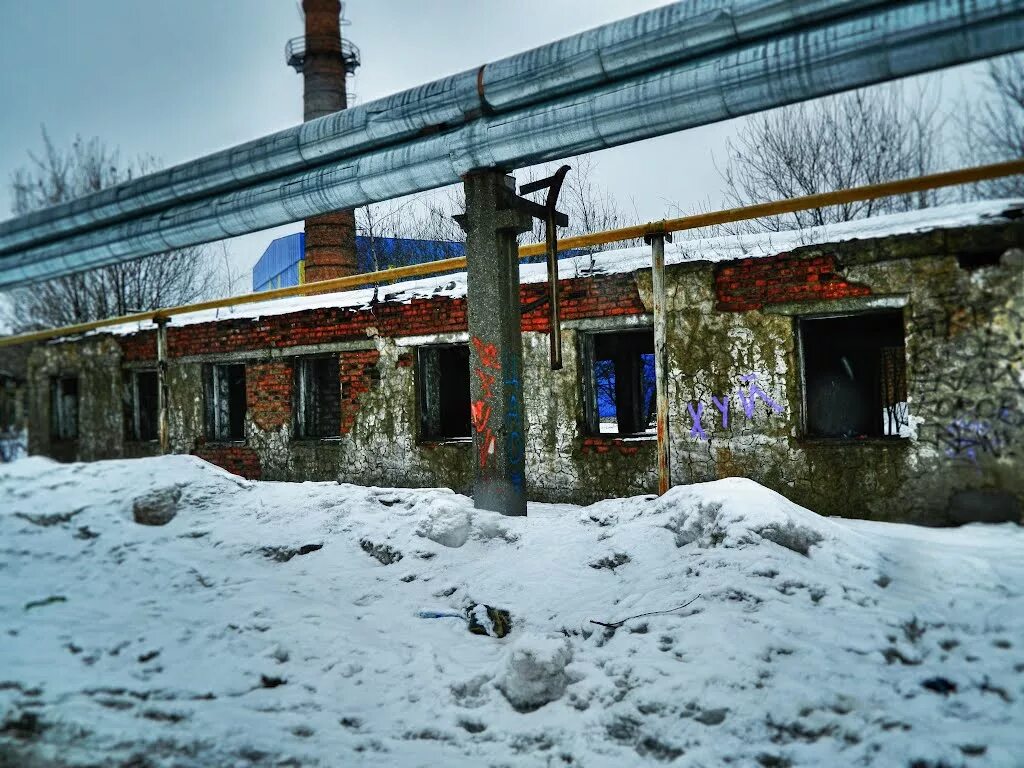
(496, 343)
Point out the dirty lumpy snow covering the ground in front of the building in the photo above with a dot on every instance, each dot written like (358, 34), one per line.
(276, 624)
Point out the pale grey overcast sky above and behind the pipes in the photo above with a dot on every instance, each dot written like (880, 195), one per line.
(182, 79)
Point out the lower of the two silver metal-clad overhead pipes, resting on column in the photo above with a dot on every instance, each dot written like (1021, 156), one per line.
(872, 48)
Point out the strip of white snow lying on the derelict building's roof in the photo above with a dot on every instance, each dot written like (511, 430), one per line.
(726, 248)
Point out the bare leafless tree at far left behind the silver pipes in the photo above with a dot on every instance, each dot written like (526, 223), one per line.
(55, 177)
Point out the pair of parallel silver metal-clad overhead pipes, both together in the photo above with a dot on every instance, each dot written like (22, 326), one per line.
(682, 66)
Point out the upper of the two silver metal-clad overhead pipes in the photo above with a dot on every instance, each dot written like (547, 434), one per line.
(656, 39)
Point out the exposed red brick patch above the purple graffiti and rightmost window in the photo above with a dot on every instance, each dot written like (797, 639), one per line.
(742, 286)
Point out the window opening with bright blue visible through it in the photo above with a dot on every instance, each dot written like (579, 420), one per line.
(619, 381)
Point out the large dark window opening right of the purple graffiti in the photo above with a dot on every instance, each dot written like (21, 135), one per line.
(856, 376)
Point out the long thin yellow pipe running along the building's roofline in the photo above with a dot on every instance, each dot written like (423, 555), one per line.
(902, 187)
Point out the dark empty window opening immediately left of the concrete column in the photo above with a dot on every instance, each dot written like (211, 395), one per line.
(443, 374)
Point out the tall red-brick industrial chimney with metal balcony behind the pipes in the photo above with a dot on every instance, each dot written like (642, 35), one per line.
(326, 61)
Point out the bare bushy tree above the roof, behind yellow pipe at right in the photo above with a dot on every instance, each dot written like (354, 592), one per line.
(863, 138)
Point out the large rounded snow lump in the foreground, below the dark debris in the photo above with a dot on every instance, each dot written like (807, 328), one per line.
(535, 674)
